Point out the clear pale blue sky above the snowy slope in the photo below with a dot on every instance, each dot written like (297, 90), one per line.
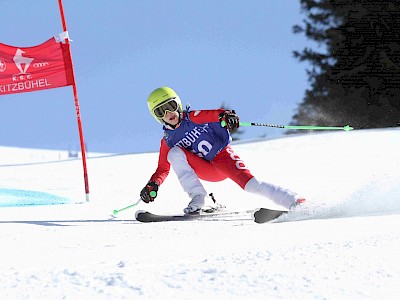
(210, 52)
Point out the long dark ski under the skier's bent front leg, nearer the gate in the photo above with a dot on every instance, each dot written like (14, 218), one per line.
(148, 217)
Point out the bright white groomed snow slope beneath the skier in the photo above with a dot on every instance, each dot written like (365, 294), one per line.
(343, 244)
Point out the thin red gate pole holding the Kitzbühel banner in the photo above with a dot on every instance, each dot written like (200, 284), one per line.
(78, 114)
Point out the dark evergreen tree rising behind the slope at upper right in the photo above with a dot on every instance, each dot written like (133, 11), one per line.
(356, 78)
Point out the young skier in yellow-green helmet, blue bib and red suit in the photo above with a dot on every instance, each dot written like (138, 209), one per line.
(196, 145)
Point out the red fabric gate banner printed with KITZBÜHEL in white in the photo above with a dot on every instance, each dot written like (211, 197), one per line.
(36, 68)
